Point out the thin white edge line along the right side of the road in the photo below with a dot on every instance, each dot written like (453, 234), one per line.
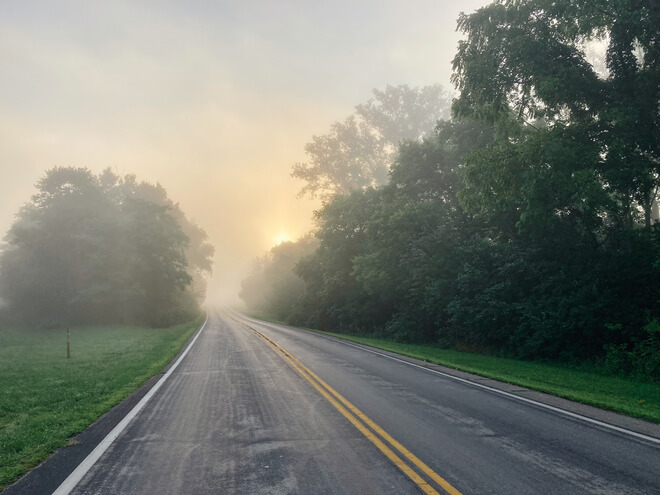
(491, 389)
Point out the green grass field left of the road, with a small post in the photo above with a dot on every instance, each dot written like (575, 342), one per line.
(45, 398)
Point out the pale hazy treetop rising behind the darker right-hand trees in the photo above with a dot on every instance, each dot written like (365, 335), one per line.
(356, 154)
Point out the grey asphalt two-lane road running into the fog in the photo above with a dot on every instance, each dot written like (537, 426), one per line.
(256, 407)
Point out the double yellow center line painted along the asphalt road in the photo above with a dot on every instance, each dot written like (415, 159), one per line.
(366, 426)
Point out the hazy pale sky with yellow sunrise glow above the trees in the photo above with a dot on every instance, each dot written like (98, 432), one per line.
(215, 100)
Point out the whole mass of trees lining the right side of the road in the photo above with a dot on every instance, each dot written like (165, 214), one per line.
(525, 226)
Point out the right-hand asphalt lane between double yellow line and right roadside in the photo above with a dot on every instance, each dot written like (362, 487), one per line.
(478, 440)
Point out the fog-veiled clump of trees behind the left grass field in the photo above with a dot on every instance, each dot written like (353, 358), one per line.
(102, 249)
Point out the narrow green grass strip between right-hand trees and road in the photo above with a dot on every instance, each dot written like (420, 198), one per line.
(586, 385)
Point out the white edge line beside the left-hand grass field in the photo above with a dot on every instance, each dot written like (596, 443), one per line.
(74, 478)
